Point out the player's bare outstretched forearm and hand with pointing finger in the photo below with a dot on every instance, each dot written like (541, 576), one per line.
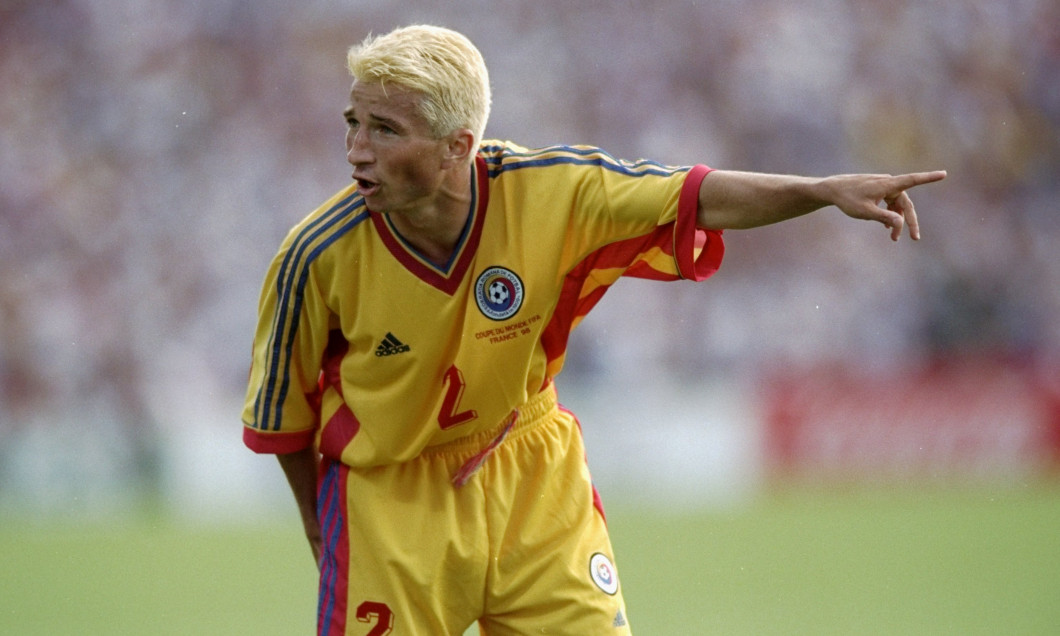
(741, 201)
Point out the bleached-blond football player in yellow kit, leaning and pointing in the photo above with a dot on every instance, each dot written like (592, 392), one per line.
(412, 329)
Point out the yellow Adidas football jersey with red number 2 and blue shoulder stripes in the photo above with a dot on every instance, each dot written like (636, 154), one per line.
(374, 354)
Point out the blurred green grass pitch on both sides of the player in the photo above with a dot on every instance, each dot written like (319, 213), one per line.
(825, 562)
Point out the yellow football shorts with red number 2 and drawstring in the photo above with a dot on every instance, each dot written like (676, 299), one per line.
(522, 547)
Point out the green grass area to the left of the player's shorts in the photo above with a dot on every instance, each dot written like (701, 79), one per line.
(155, 578)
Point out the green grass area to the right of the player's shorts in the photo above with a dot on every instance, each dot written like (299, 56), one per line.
(859, 563)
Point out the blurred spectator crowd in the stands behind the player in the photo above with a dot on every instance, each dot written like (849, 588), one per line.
(154, 155)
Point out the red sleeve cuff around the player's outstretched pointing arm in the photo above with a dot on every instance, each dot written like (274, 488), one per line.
(699, 253)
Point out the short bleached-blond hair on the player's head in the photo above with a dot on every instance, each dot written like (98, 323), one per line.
(441, 64)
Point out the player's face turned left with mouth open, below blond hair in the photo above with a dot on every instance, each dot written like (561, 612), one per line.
(397, 161)
